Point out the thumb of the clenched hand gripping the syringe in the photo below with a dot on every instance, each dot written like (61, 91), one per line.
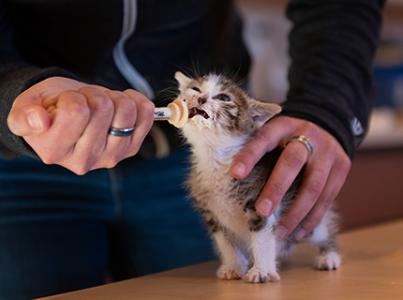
(28, 120)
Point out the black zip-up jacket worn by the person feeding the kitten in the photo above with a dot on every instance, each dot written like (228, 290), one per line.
(331, 45)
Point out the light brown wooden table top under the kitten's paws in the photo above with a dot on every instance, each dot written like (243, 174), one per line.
(372, 269)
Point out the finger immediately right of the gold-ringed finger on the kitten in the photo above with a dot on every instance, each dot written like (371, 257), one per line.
(313, 184)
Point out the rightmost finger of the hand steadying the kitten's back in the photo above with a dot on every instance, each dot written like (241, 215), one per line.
(335, 182)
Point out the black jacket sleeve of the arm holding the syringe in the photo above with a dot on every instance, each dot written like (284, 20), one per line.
(16, 75)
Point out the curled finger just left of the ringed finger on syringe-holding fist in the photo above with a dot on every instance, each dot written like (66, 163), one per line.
(91, 145)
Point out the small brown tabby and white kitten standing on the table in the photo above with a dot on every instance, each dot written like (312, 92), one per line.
(221, 120)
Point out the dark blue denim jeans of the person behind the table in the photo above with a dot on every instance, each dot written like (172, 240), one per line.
(61, 232)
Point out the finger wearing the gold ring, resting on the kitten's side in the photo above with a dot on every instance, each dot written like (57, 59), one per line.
(288, 166)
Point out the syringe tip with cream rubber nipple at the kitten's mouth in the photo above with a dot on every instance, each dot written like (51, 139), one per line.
(176, 113)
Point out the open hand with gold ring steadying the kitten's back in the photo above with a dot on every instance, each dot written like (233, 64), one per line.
(325, 172)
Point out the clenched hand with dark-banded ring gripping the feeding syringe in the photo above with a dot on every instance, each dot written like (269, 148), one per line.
(66, 122)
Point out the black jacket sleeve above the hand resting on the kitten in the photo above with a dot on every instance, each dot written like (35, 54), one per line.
(332, 46)
